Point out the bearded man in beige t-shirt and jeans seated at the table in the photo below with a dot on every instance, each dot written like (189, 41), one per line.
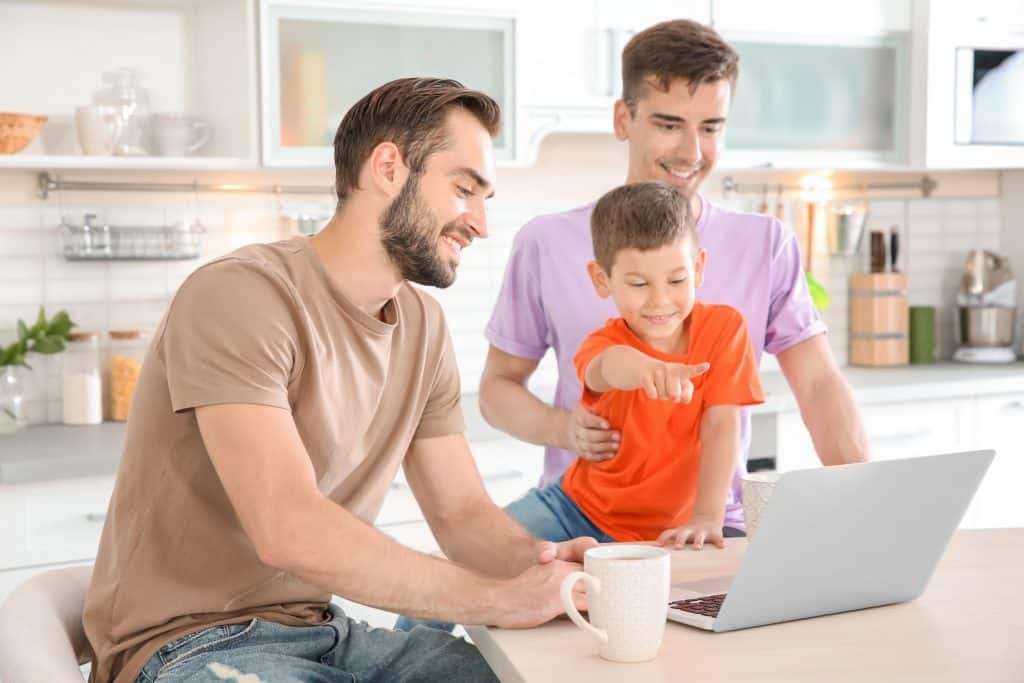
(284, 388)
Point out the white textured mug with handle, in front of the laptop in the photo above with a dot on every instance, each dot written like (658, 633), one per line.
(627, 599)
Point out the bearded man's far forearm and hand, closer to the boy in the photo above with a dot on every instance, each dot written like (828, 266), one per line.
(470, 528)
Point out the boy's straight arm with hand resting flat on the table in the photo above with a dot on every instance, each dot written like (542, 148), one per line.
(719, 449)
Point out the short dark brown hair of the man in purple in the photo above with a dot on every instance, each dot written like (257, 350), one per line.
(678, 50)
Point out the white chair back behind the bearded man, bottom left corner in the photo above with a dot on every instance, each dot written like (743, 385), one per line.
(41, 636)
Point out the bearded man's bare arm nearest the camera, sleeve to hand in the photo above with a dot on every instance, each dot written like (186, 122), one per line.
(269, 478)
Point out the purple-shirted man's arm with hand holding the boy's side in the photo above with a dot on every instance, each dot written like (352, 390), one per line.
(507, 404)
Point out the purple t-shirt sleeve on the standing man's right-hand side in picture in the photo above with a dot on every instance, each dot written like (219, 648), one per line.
(792, 316)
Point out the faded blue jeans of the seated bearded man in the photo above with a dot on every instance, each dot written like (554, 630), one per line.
(340, 651)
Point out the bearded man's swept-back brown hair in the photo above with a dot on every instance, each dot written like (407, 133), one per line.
(411, 113)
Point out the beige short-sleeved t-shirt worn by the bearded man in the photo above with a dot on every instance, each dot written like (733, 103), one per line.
(264, 325)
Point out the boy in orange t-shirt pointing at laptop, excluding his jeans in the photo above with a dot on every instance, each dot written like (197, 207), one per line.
(670, 374)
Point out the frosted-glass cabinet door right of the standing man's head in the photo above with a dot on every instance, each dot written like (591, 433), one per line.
(833, 102)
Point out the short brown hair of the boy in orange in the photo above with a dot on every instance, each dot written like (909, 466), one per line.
(641, 216)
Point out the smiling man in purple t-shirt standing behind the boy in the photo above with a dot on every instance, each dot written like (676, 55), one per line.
(678, 79)
